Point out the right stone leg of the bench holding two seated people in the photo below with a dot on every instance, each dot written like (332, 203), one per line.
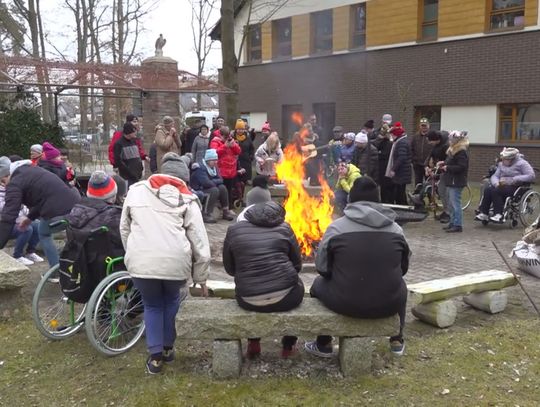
(355, 355)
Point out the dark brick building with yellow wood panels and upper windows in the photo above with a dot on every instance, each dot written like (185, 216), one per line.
(464, 64)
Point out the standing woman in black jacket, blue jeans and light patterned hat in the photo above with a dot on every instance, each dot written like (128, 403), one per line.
(455, 169)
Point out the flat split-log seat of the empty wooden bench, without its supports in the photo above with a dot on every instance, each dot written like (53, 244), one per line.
(442, 289)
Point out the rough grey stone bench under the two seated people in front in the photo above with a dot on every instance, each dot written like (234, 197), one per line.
(225, 323)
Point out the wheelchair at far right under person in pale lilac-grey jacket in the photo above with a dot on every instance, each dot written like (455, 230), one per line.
(523, 206)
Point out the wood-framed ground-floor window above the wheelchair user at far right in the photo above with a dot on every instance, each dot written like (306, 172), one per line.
(519, 122)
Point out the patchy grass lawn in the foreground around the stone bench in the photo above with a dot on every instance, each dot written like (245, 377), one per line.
(490, 365)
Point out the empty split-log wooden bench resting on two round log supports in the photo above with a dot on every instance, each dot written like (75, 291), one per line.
(432, 300)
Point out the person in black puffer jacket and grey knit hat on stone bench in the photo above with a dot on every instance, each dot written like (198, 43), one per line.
(262, 254)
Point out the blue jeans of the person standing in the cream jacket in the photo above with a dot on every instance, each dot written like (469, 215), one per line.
(161, 300)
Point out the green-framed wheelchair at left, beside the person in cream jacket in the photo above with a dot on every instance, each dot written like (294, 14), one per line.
(113, 316)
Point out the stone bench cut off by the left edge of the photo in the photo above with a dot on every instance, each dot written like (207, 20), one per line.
(13, 277)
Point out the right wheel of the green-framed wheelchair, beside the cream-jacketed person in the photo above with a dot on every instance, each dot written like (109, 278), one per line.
(115, 315)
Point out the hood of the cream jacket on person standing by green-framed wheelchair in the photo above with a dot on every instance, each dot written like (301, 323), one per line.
(170, 190)
